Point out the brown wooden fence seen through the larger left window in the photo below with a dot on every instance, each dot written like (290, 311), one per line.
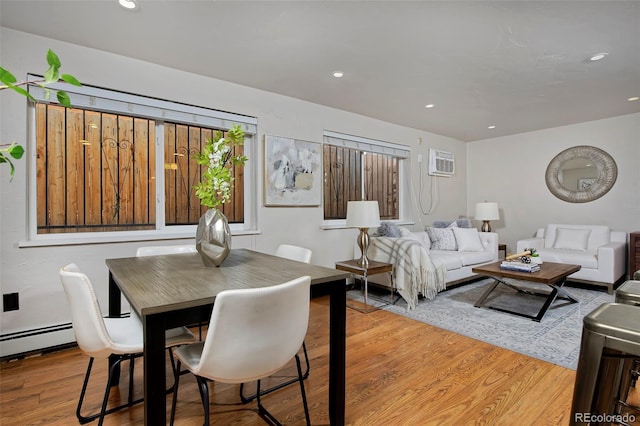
(96, 172)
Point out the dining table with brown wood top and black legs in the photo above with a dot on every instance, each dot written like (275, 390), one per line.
(178, 289)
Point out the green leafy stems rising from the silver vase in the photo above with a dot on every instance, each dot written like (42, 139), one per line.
(216, 182)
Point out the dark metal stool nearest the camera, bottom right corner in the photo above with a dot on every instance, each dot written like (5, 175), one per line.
(610, 334)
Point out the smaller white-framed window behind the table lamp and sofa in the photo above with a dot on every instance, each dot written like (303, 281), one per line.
(357, 168)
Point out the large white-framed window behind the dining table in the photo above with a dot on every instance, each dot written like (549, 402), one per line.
(119, 162)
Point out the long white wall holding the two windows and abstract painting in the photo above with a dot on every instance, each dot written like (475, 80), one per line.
(33, 272)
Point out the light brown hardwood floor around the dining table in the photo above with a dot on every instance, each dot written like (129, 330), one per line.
(399, 372)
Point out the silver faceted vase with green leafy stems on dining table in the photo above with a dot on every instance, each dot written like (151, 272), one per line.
(213, 236)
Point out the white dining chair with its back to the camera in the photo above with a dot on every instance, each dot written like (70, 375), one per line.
(253, 333)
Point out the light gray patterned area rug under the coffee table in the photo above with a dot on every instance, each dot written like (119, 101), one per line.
(556, 338)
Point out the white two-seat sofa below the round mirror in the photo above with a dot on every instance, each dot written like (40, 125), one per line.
(599, 251)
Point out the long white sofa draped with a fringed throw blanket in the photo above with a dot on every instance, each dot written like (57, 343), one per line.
(456, 263)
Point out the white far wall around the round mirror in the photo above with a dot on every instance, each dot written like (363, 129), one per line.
(511, 171)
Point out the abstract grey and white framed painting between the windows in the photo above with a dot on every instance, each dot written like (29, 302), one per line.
(293, 172)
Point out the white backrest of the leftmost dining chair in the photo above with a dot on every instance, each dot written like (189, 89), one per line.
(88, 325)
